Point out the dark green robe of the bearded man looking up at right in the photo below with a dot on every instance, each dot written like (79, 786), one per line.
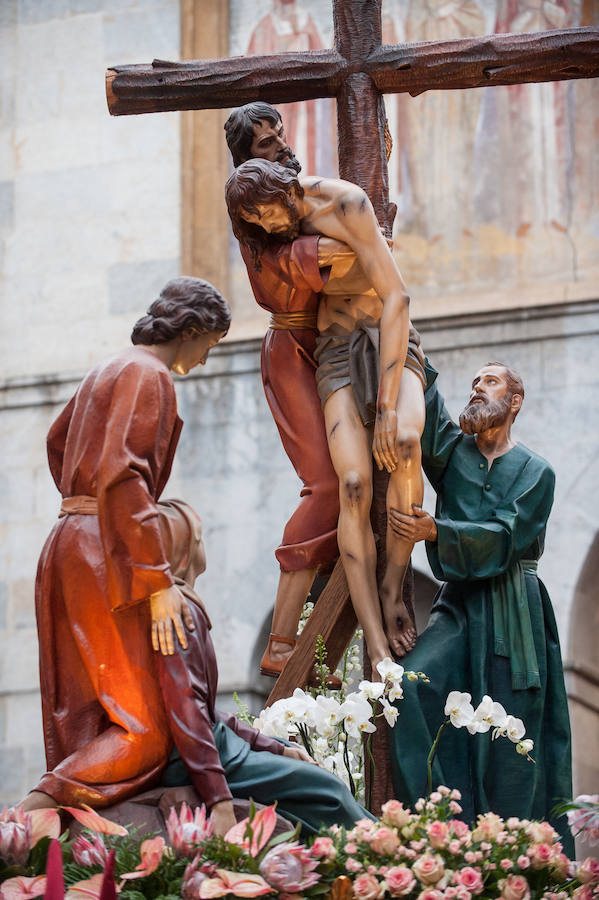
(487, 521)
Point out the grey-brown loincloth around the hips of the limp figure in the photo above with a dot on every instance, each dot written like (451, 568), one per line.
(355, 359)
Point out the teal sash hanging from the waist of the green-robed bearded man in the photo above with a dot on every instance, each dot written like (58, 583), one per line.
(513, 628)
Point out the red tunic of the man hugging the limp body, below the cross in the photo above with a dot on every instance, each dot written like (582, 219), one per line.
(289, 281)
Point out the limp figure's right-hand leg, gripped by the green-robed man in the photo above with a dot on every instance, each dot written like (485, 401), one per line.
(406, 488)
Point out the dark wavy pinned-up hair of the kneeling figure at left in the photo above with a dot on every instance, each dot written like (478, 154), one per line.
(184, 303)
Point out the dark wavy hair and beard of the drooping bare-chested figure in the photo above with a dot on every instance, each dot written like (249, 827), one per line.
(255, 182)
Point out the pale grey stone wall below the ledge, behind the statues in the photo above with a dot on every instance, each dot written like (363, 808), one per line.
(231, 468)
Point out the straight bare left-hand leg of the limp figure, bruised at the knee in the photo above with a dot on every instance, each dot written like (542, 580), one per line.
(351, 452)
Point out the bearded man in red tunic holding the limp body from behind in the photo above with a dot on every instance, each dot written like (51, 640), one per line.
(287, 284)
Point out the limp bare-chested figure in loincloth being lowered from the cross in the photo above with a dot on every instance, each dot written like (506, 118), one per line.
(360, 385)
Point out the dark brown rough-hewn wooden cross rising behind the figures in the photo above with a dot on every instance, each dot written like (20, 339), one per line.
(357, 72)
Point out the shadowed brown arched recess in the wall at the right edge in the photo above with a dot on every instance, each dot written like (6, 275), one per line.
(582, 674)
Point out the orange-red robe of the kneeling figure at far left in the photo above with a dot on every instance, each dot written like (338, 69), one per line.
(105, 728)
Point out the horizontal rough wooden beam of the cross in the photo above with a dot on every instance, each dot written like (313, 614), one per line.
(393, 68)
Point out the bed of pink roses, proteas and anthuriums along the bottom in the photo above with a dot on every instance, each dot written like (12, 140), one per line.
(425, 854)
